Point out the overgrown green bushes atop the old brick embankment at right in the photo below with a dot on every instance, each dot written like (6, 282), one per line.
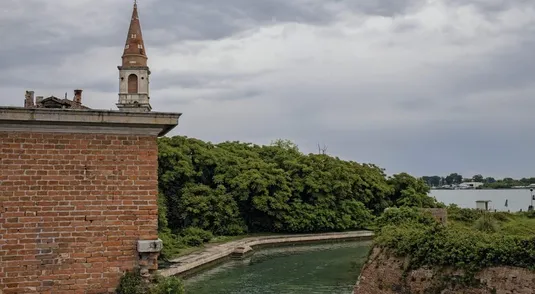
(469, 246)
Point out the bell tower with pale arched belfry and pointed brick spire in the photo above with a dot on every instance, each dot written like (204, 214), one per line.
(134, 72)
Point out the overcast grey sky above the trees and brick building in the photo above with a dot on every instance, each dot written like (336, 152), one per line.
(420, 86)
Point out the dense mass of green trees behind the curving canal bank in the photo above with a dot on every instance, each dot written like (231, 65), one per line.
(232, 188)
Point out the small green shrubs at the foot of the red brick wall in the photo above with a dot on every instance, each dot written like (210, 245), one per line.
(132, 283)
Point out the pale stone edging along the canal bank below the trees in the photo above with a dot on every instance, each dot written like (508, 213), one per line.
(192, 261)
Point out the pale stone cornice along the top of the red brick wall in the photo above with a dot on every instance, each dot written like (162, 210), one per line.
(86, 121)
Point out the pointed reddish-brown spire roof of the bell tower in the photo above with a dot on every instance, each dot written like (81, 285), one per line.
(134, 54)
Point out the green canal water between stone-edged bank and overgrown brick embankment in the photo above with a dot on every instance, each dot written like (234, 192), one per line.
(326, 268)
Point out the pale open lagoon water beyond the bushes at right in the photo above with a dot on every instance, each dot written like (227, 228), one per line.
(517, 198)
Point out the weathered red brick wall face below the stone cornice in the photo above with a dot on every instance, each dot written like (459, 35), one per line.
(72, 207)
